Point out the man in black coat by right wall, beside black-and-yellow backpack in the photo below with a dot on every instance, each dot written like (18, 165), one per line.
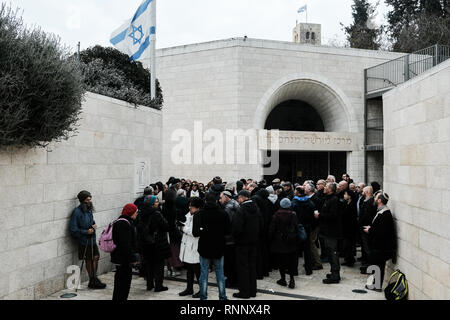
(382, 236)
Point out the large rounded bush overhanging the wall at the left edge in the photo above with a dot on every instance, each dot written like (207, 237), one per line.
(41, 88)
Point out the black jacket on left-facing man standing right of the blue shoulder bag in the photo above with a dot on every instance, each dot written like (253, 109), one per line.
(330, 218)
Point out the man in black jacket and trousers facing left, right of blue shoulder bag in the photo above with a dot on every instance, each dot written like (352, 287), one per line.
(330, 223)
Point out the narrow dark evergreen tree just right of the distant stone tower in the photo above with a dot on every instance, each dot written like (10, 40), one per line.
(363, 34)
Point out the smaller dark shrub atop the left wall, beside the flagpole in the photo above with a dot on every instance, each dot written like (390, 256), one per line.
(109, 72)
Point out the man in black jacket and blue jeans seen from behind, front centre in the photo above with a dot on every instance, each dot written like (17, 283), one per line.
(212, 225)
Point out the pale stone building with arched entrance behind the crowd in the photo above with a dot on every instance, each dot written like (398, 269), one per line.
(313, 94)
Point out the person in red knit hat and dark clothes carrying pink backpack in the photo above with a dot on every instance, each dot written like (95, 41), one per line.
(124, 255)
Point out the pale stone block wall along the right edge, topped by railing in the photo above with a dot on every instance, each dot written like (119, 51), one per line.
(417, 175)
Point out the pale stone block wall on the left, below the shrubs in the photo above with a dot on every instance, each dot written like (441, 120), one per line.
(38, 191)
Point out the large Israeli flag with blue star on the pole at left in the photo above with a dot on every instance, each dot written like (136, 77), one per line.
(134, 36)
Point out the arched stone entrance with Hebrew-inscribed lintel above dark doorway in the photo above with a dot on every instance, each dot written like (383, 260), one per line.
(316, 122)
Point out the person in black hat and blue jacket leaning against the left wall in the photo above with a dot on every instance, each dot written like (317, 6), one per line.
(82, 227)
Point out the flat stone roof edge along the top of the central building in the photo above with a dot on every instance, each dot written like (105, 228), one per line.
(275, 45)
